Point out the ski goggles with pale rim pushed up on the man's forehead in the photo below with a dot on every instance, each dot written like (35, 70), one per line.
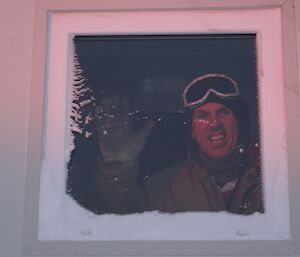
(197, 92)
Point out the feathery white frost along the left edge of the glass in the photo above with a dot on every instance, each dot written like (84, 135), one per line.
(81, 114)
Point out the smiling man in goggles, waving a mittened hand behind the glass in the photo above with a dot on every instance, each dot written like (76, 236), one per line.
(222, 171)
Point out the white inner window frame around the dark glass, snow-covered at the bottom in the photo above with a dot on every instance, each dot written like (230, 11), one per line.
(59, 214)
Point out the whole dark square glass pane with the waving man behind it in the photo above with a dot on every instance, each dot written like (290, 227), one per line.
(136, 145)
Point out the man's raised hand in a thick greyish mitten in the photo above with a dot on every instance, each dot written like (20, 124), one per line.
(117, 138)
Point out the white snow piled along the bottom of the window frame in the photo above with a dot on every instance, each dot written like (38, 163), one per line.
(61, 218)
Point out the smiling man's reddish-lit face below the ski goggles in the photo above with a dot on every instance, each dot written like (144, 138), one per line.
(215, 129)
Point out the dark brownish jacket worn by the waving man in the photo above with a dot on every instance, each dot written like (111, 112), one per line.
(184, 187)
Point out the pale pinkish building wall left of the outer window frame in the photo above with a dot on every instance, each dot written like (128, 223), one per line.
(16, 34)
